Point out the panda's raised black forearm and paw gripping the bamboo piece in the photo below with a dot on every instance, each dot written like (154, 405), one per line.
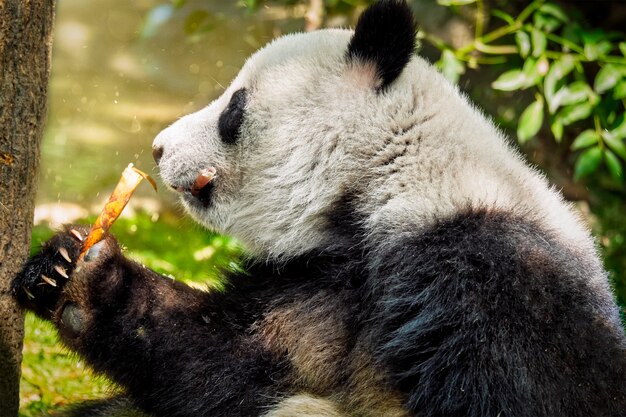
(176, 350)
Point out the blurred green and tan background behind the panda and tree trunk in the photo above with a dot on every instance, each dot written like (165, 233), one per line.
(551, 73)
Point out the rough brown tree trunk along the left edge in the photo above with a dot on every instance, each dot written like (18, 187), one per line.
(25, 40)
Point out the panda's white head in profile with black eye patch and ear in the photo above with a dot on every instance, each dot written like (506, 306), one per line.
(272, 159)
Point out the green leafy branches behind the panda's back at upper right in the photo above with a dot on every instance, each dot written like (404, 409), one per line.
(577, 74)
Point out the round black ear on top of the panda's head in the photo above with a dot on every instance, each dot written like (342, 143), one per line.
(384, 36)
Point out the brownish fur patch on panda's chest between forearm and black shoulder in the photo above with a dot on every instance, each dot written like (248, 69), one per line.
(318, 337)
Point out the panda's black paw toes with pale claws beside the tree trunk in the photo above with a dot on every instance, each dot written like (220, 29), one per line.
(42, 279)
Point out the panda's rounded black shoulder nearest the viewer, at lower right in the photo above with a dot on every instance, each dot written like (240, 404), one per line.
(488, 315)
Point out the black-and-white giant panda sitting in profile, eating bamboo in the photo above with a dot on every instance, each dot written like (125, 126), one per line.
(403, 259)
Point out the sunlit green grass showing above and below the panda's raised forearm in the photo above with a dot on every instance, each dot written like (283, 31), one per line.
(52, 376)
